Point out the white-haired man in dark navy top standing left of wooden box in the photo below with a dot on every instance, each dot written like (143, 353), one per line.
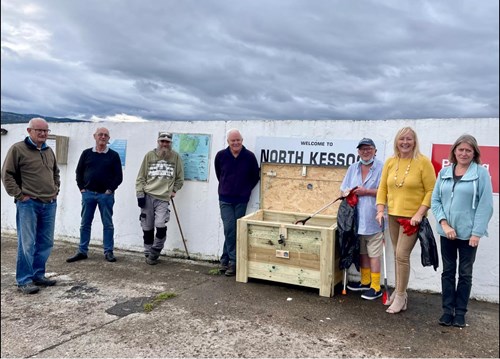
(238, 172)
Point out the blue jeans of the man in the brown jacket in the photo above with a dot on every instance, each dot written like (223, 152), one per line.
(35, 223)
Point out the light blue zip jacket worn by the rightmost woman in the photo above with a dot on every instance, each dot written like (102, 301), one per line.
(467, 207)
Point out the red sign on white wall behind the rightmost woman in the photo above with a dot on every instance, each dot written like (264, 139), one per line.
(489, 160)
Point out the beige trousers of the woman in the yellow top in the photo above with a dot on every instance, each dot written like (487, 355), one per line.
(402, 246)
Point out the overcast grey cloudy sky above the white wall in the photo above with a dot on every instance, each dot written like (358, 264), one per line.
(244, 60)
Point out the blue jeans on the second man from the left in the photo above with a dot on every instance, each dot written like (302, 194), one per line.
(90, 200)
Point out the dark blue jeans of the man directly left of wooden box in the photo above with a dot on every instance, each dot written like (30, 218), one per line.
(230, 213)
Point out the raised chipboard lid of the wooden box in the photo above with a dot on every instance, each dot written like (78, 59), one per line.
(298, 188)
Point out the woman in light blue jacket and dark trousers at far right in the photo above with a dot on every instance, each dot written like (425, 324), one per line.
(462, 202)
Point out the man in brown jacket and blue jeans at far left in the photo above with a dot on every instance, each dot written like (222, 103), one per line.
(30, 174)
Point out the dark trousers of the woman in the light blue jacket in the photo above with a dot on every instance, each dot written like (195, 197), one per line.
(456, 297)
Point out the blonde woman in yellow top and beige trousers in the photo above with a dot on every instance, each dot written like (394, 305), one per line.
(405, 189)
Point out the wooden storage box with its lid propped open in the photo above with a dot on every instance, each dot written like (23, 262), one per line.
(271, 246)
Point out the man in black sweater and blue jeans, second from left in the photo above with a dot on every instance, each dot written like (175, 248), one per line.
(98, 175)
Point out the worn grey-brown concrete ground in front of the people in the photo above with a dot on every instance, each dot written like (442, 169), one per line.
(97, 309)
